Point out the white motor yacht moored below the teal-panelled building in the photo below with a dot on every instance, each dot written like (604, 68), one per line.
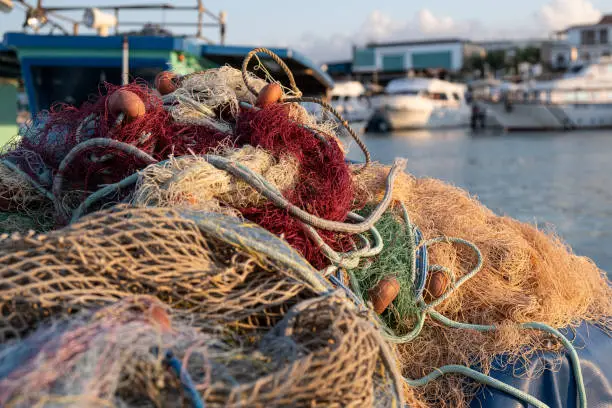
(421, 103)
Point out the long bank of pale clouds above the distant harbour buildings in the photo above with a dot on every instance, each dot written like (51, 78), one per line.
(380, 27)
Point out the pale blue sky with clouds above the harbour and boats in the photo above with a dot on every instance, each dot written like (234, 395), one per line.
(326, 30)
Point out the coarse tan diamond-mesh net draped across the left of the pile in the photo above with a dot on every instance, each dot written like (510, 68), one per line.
(152, 251)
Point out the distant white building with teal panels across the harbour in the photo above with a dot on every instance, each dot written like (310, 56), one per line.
(384, 61)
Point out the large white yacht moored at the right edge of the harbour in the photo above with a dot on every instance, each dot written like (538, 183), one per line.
(582, 98)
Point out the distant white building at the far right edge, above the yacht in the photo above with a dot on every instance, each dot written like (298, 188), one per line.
(582, 43)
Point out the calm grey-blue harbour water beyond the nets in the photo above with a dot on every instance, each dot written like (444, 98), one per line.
(561, 181)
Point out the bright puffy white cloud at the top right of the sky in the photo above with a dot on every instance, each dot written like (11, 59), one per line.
(559, 14)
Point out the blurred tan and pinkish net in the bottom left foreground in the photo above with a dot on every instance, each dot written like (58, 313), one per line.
(320, 354)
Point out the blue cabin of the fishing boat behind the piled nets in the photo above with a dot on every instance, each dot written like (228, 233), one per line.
(68, 68)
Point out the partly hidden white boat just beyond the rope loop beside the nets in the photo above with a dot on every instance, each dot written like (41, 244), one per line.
(349, 99)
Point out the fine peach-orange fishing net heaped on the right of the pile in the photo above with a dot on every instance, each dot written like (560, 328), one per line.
(527, 275)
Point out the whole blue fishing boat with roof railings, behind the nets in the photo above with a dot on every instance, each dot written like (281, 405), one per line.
(70, 67)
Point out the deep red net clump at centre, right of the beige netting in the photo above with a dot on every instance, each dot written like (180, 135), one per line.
(325, 187)
